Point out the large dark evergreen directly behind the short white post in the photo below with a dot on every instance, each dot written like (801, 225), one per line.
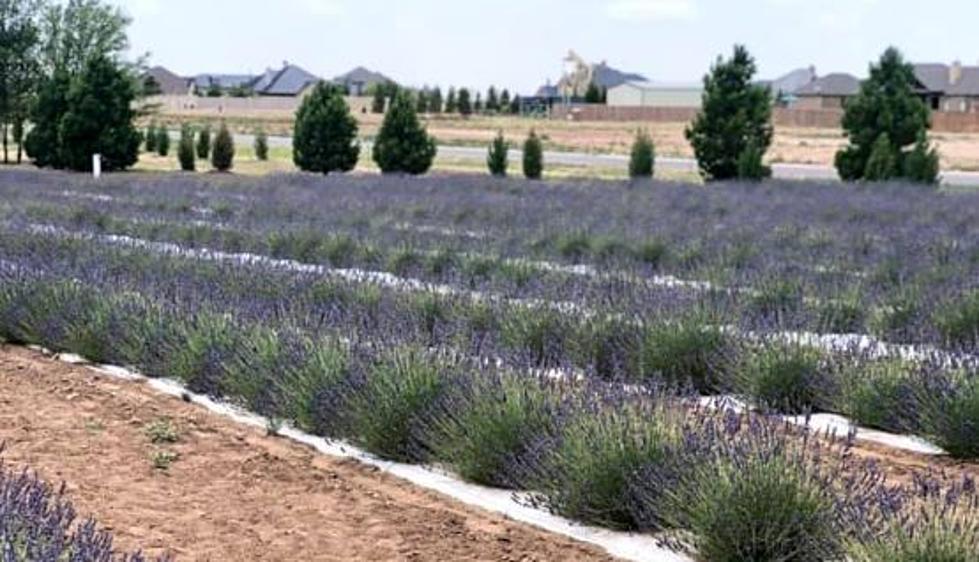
(99, 119)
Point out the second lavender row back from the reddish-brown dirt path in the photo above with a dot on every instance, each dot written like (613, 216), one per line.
(935, 397)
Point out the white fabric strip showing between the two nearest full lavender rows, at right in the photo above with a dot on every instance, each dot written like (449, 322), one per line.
(836, 425)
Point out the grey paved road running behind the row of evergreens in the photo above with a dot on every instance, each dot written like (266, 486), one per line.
(783, 171)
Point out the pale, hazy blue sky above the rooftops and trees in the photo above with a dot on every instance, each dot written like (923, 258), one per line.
(520, 44)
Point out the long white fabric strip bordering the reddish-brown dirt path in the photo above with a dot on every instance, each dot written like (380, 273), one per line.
(628, 546)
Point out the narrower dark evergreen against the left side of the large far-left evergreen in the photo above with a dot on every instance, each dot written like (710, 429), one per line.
(43, 142)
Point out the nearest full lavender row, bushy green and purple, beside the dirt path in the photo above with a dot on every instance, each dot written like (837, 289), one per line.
(589, 450)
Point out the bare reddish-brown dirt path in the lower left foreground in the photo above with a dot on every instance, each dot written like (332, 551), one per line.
(233, 494)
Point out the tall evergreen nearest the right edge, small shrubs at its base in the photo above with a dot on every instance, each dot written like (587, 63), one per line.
(886, 105)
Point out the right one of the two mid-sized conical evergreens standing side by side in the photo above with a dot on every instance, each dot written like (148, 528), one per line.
(403, 145)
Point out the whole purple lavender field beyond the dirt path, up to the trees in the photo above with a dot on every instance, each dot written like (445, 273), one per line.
(557, 339)
